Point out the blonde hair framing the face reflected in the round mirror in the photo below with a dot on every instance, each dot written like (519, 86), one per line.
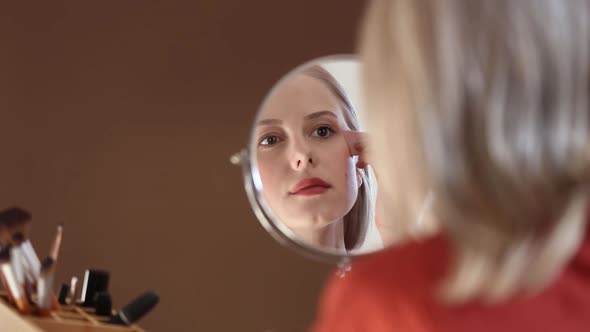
(356, 221)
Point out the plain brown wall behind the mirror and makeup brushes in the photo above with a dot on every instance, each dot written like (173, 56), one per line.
(117, 118)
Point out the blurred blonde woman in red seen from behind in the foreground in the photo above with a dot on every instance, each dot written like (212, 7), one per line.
(486, 103)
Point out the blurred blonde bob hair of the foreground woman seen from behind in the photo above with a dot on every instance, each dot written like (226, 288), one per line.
(486, 103)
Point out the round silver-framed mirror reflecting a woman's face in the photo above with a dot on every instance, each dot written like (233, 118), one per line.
(303, 167)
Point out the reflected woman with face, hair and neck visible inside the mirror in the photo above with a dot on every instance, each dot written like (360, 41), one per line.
(309, 177)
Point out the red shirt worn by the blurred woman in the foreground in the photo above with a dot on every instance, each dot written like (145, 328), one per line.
(394, 291)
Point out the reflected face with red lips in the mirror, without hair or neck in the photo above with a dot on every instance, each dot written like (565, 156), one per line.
(308, 176)
